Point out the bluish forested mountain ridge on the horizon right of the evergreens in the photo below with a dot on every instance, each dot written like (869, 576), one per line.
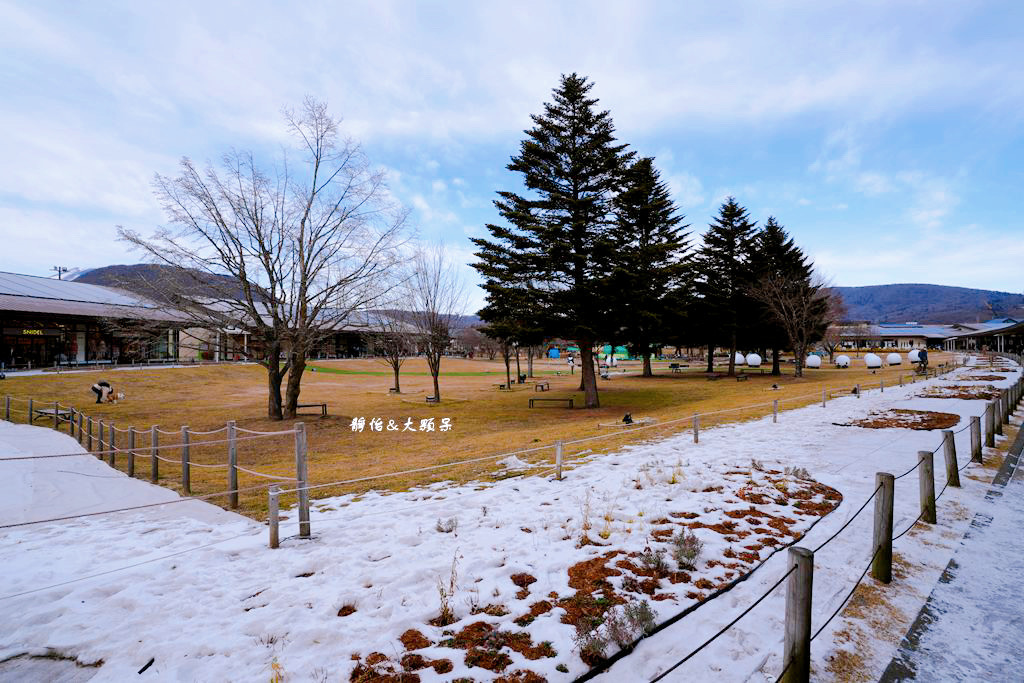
(928, 304)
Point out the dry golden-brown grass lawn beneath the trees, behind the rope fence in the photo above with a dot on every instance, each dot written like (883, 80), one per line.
(485, 420)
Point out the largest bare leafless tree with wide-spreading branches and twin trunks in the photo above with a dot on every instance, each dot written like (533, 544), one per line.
(303, 245)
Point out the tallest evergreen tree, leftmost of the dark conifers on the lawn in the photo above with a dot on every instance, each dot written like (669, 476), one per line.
(558, 246)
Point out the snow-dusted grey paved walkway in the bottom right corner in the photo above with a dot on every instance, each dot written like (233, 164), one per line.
(972, 627)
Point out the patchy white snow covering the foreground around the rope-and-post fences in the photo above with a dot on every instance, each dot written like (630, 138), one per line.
(205, 600)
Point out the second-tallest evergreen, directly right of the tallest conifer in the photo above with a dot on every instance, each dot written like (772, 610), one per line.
(651, 262)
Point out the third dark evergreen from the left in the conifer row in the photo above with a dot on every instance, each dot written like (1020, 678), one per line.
(724, 268)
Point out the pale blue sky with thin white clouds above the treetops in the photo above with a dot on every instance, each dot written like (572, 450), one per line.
(887, 138)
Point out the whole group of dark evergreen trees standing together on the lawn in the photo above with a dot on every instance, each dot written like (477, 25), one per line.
(596, 250)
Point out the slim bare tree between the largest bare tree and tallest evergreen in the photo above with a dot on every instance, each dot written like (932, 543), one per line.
(438, 296)
